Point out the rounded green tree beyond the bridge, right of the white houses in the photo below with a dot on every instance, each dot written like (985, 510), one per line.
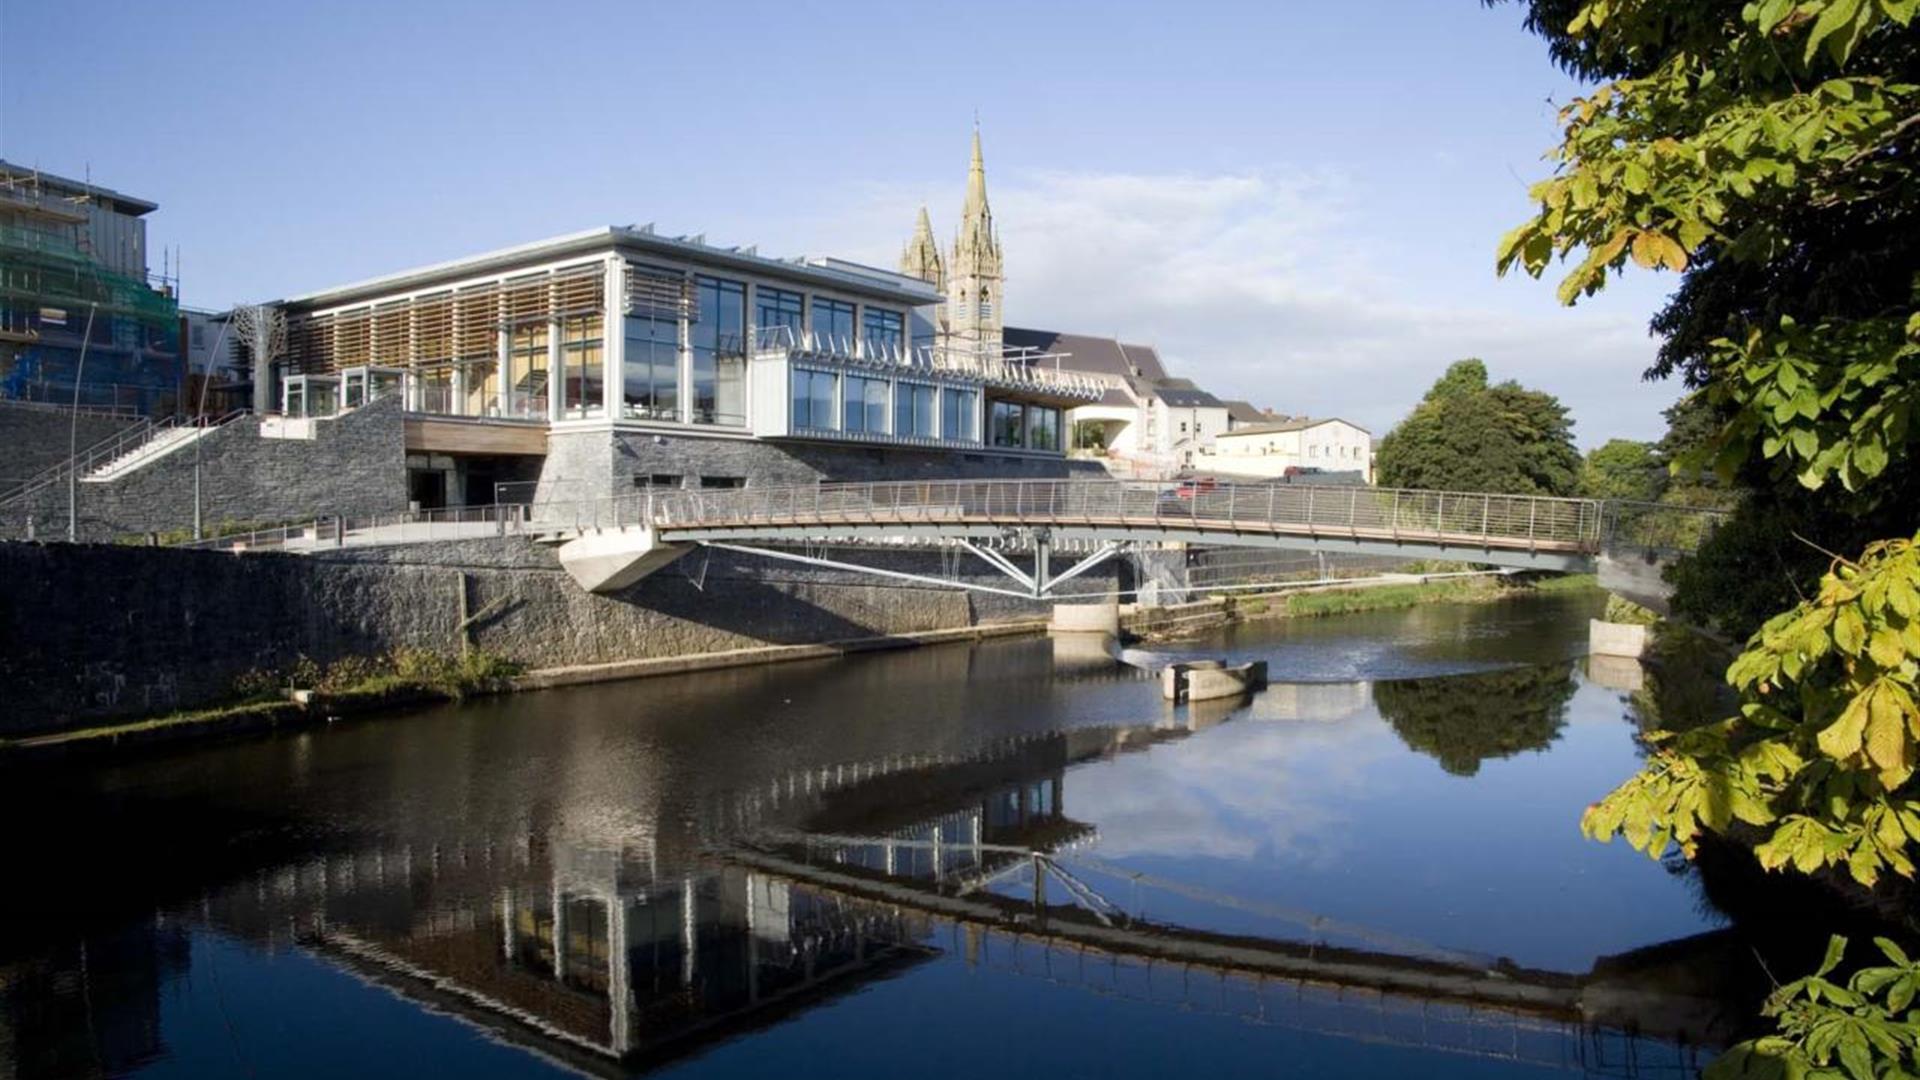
(1470, 437)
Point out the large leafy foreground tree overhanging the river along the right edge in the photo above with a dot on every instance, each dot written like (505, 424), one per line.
(1767, 155)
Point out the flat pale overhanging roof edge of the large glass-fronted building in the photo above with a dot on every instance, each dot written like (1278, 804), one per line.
(644, 241)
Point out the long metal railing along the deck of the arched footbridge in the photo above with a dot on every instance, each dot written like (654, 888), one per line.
(1391, 514)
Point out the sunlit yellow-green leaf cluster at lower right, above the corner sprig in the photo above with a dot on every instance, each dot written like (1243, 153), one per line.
(1825, 749)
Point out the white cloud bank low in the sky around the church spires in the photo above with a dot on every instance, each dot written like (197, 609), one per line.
(1278, 289)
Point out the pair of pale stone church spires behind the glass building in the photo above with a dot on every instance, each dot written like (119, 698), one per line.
(971, 274)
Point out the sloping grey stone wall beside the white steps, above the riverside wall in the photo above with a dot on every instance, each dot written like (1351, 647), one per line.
(354, 464)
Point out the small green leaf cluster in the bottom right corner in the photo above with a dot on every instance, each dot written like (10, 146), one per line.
(1863, 1029)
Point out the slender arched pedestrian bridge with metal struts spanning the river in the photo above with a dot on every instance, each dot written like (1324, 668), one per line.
(612, 543)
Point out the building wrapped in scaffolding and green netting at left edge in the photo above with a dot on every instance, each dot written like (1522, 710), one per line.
(76, 253)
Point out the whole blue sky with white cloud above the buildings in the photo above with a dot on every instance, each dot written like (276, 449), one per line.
(1297, 205)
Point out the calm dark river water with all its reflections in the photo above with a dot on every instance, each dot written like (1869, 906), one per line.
(827, 870)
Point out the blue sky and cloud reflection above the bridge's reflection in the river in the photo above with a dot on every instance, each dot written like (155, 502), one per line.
(1345, 822)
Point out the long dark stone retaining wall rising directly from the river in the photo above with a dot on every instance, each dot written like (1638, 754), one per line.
(114, 631)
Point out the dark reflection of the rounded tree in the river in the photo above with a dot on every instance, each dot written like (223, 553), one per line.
(1464, 720)
